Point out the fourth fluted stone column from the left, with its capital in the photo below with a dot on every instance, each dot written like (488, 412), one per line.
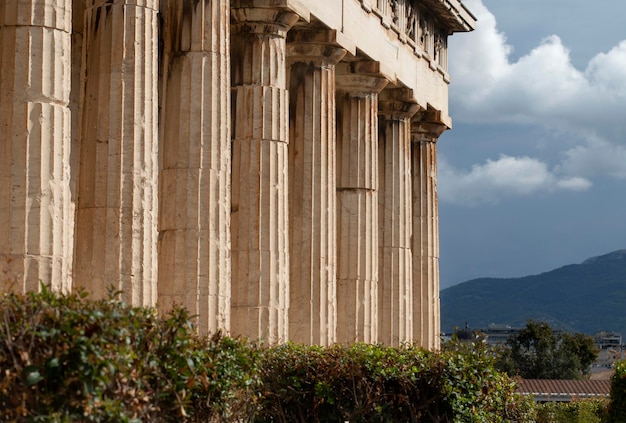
(260, 245)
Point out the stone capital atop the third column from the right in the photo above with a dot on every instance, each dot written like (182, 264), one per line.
(360, 78)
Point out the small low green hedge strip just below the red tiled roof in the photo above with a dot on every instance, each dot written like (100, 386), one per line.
(583, 411)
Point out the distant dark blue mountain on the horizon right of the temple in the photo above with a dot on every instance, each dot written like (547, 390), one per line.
(587, 297)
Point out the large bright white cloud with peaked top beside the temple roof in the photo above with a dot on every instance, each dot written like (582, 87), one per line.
(542, 87)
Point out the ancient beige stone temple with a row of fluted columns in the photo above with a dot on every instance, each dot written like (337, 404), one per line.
(269, 164)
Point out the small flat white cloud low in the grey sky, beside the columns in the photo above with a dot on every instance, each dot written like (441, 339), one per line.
(505, 177)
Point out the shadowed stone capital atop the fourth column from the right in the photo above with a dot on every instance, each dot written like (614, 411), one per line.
(316, 46)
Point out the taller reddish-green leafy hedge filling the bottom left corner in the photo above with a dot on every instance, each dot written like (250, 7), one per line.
(63, 358)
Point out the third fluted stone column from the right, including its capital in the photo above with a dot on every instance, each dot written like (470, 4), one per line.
(358, 85)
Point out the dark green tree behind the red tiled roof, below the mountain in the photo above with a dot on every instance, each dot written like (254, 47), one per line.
(539, 352)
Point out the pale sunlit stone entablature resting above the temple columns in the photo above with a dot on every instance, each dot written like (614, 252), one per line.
(407, 37)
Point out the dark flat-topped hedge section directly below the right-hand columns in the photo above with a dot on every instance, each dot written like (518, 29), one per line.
(359, 382)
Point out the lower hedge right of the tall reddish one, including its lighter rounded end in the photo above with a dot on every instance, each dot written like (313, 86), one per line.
(362, 382)
